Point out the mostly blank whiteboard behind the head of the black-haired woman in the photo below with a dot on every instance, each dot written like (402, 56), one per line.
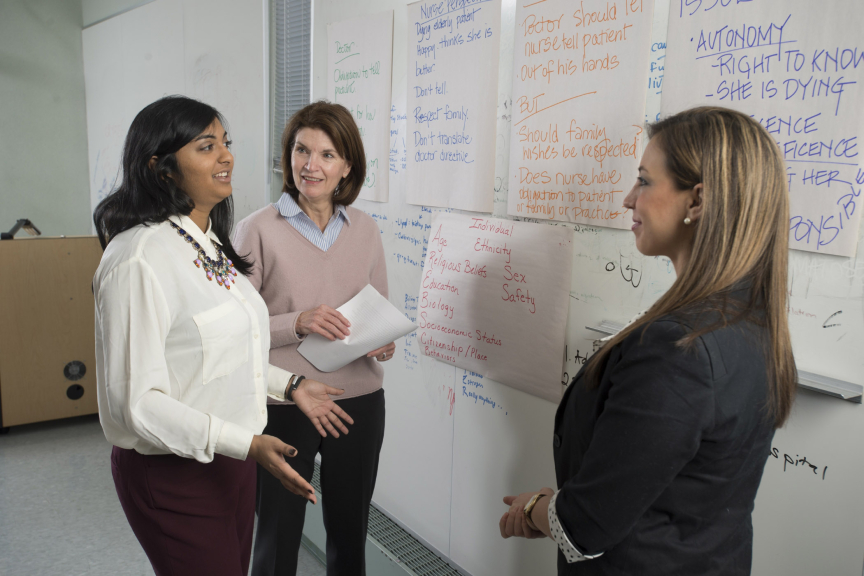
(213, 51)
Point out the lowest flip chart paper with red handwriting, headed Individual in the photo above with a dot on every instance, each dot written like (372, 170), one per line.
(494, 297)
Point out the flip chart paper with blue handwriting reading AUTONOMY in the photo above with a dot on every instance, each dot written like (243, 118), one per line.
(802, 81)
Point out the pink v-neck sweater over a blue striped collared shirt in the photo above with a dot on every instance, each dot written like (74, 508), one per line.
(293, 275)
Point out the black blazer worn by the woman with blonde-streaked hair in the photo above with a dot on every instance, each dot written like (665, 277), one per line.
(658, 467)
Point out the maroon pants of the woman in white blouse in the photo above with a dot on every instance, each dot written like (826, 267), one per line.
(190, 518)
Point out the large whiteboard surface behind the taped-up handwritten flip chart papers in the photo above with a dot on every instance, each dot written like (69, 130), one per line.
(447, 460)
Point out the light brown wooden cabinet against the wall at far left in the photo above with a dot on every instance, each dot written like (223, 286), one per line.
(47, 349)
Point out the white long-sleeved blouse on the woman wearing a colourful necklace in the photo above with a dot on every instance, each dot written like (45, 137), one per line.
(181, 362)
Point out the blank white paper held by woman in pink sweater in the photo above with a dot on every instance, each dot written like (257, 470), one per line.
(374, 323)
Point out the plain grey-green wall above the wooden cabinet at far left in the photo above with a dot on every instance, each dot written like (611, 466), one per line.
(43, 131)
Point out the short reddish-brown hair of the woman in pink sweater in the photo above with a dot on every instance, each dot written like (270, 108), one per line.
(338, 123)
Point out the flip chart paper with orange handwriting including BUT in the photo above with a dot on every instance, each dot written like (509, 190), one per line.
(580, 72)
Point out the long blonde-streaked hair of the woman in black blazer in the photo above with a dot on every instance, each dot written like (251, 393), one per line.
(741, 238)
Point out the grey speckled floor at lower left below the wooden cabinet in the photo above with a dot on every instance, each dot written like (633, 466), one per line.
(59, 513)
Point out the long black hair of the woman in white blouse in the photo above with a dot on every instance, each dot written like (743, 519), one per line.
(149, 195)
